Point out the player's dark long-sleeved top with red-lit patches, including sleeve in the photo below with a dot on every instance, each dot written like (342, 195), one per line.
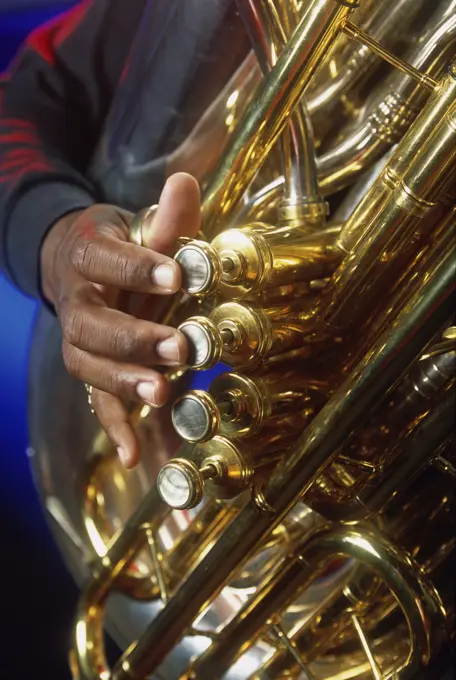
(91, 105)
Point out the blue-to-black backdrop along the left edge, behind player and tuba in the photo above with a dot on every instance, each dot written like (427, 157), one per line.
(38, 597)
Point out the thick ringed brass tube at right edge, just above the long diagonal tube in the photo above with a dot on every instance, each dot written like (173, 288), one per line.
(388, 225)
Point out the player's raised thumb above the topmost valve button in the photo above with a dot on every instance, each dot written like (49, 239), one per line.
(178, 214)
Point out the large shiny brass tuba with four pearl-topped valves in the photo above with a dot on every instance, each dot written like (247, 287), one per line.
(294, 518)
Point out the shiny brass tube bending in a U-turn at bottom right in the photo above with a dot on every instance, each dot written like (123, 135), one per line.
(426, 625)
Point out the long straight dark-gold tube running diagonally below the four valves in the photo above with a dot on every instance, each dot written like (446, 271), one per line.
(378, 371)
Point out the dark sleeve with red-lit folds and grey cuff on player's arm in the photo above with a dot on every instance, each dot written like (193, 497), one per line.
(53, 104)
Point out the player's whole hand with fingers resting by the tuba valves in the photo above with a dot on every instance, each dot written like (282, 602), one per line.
(89, 272)
